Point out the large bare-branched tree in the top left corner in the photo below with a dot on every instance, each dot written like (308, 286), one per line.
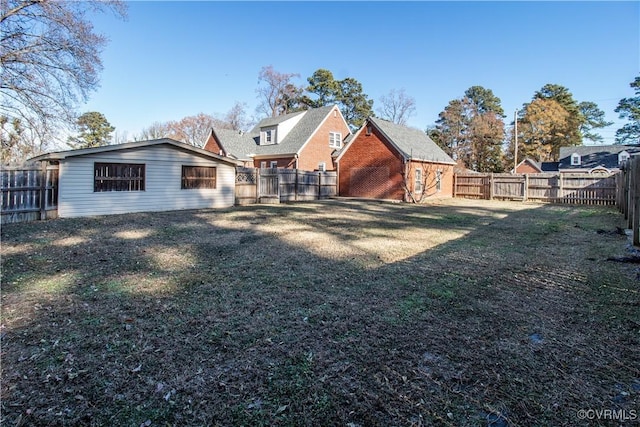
(50, 60)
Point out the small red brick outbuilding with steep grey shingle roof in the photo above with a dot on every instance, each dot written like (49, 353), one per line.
(384, 160)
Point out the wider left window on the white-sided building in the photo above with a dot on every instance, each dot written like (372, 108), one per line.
(118, 177)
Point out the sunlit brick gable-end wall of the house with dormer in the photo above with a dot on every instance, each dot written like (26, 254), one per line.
(317, 149)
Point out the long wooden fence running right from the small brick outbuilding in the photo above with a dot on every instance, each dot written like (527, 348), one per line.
(574, 188)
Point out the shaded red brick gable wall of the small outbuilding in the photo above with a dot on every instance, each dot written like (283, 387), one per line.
(371, 168)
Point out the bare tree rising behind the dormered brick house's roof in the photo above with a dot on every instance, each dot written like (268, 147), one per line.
(276, 92)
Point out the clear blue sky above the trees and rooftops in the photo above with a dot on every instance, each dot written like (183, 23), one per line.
(169, 60)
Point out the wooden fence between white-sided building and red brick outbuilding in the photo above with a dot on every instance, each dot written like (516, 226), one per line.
(255, 185)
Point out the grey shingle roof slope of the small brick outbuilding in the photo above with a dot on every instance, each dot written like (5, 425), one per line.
(414, 143)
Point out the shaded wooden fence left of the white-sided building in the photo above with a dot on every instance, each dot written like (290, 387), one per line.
(29, 193)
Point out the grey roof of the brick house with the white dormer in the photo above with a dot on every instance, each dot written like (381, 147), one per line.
(245, 146)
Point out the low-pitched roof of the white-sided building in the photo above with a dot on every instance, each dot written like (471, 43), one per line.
(61, 155)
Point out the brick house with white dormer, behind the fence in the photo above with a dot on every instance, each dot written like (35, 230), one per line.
(301, 140)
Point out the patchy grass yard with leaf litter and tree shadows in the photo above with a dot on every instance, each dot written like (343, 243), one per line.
(460, 313)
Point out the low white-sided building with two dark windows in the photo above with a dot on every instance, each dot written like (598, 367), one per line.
(156, 175)
